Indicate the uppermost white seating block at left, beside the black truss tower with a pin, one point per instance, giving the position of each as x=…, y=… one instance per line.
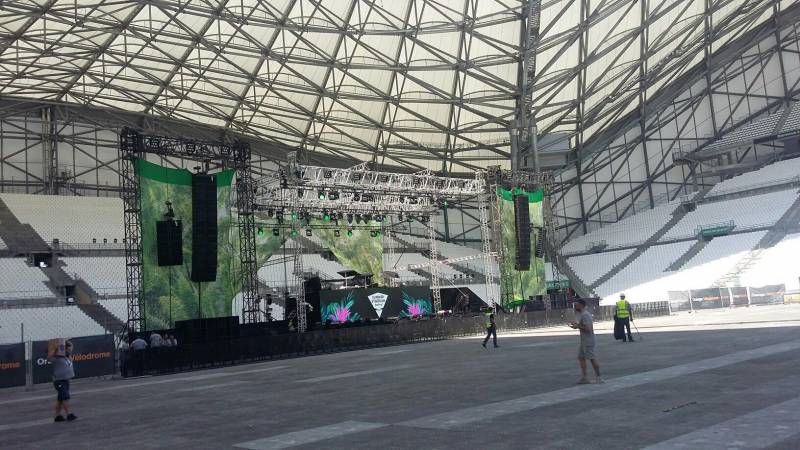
x=70, y=219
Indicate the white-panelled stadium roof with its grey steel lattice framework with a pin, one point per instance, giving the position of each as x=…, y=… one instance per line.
x=404, y=84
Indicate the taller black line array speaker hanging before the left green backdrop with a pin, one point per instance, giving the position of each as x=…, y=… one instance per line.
x=204, y=227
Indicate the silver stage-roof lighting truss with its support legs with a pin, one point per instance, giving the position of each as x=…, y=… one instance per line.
x=300, y=189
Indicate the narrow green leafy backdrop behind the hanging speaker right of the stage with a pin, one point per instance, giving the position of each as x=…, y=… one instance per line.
x=516, y=286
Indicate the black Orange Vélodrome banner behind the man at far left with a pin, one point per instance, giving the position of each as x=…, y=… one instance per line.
x=93, y=356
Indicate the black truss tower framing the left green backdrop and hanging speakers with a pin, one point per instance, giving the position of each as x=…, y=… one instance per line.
x=134, y=145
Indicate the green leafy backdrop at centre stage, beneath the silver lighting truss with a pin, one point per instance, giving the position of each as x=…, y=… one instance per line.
x=360, y=252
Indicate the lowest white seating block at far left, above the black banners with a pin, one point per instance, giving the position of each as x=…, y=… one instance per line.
x=46, y=323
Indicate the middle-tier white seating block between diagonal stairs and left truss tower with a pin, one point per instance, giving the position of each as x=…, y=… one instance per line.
x=106, y=275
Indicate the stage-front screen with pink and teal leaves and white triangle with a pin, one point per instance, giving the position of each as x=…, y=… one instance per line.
x=350, y=305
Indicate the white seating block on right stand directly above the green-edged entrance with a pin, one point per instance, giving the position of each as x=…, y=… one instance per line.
x=746, y=212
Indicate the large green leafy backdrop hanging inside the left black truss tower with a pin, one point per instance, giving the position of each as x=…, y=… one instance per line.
x=169, y=293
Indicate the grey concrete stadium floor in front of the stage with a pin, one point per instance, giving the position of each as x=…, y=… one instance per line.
x=715, y=379
